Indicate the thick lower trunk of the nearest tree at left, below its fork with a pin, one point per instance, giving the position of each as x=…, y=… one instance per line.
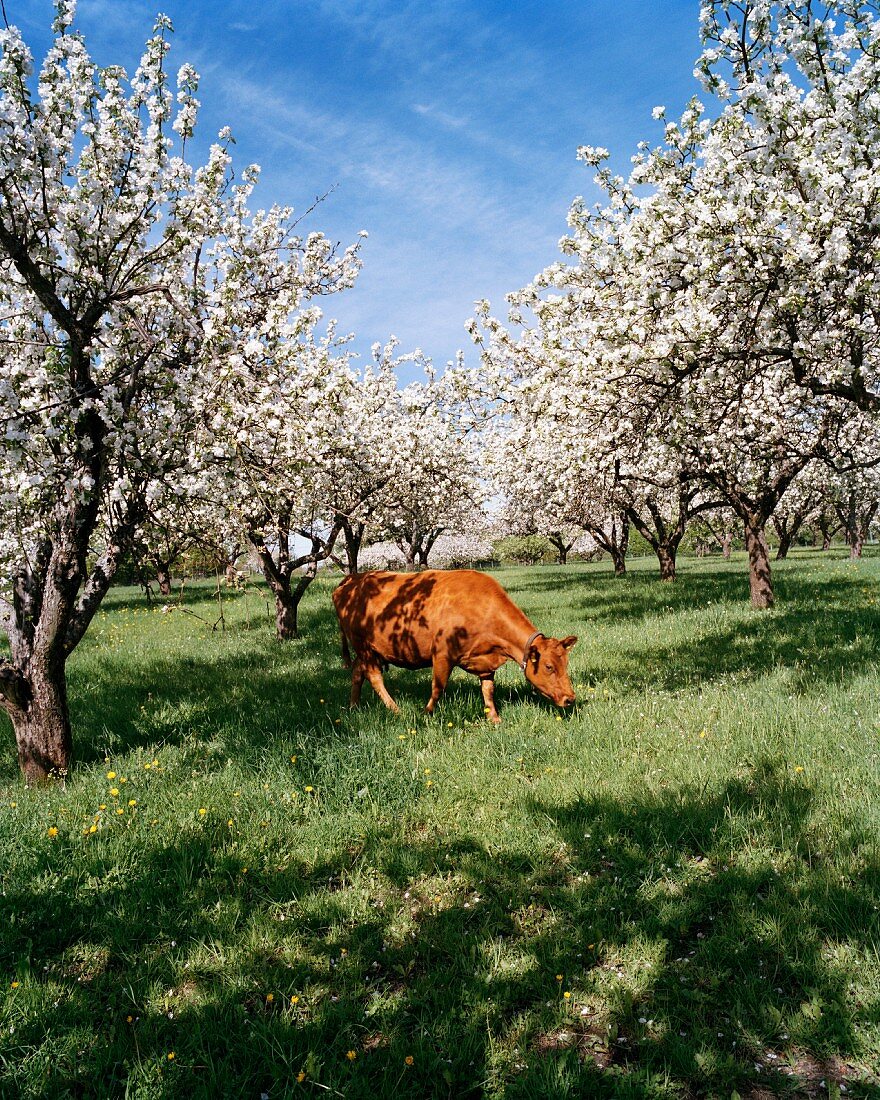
x=42, y=724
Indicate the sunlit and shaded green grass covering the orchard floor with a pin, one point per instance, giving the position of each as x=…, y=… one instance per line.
x=672, y=892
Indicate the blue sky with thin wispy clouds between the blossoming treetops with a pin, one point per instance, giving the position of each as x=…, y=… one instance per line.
x=448, y=129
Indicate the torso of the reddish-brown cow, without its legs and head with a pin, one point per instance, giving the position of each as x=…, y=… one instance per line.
x=400, y=617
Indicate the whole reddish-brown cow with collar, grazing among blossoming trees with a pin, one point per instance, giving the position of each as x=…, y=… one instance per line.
x=445, y=619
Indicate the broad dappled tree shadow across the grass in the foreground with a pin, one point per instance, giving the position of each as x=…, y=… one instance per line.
x=710, y=942
